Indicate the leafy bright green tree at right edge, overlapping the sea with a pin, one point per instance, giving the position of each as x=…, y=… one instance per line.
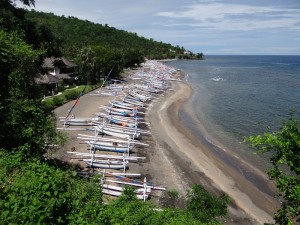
x=285, y=147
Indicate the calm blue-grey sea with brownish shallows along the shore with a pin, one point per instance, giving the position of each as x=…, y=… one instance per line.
x=238, y=96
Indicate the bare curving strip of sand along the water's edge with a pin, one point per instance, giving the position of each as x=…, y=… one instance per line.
x=216, y=175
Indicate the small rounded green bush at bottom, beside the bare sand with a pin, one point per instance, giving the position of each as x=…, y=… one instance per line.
x=204, y=206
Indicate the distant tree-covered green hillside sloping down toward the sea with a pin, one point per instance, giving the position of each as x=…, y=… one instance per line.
x=74, y=33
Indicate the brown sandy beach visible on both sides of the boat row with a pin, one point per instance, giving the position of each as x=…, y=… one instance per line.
x=176, y=159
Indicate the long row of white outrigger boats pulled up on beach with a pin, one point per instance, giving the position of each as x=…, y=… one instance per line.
x=117, y=129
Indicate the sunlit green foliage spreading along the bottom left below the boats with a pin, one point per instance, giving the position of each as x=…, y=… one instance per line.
x=36, y=192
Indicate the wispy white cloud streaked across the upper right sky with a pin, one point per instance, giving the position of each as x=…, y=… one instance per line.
x=228, y=16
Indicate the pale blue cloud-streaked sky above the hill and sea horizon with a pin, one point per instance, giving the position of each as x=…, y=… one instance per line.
x=213, y=27
